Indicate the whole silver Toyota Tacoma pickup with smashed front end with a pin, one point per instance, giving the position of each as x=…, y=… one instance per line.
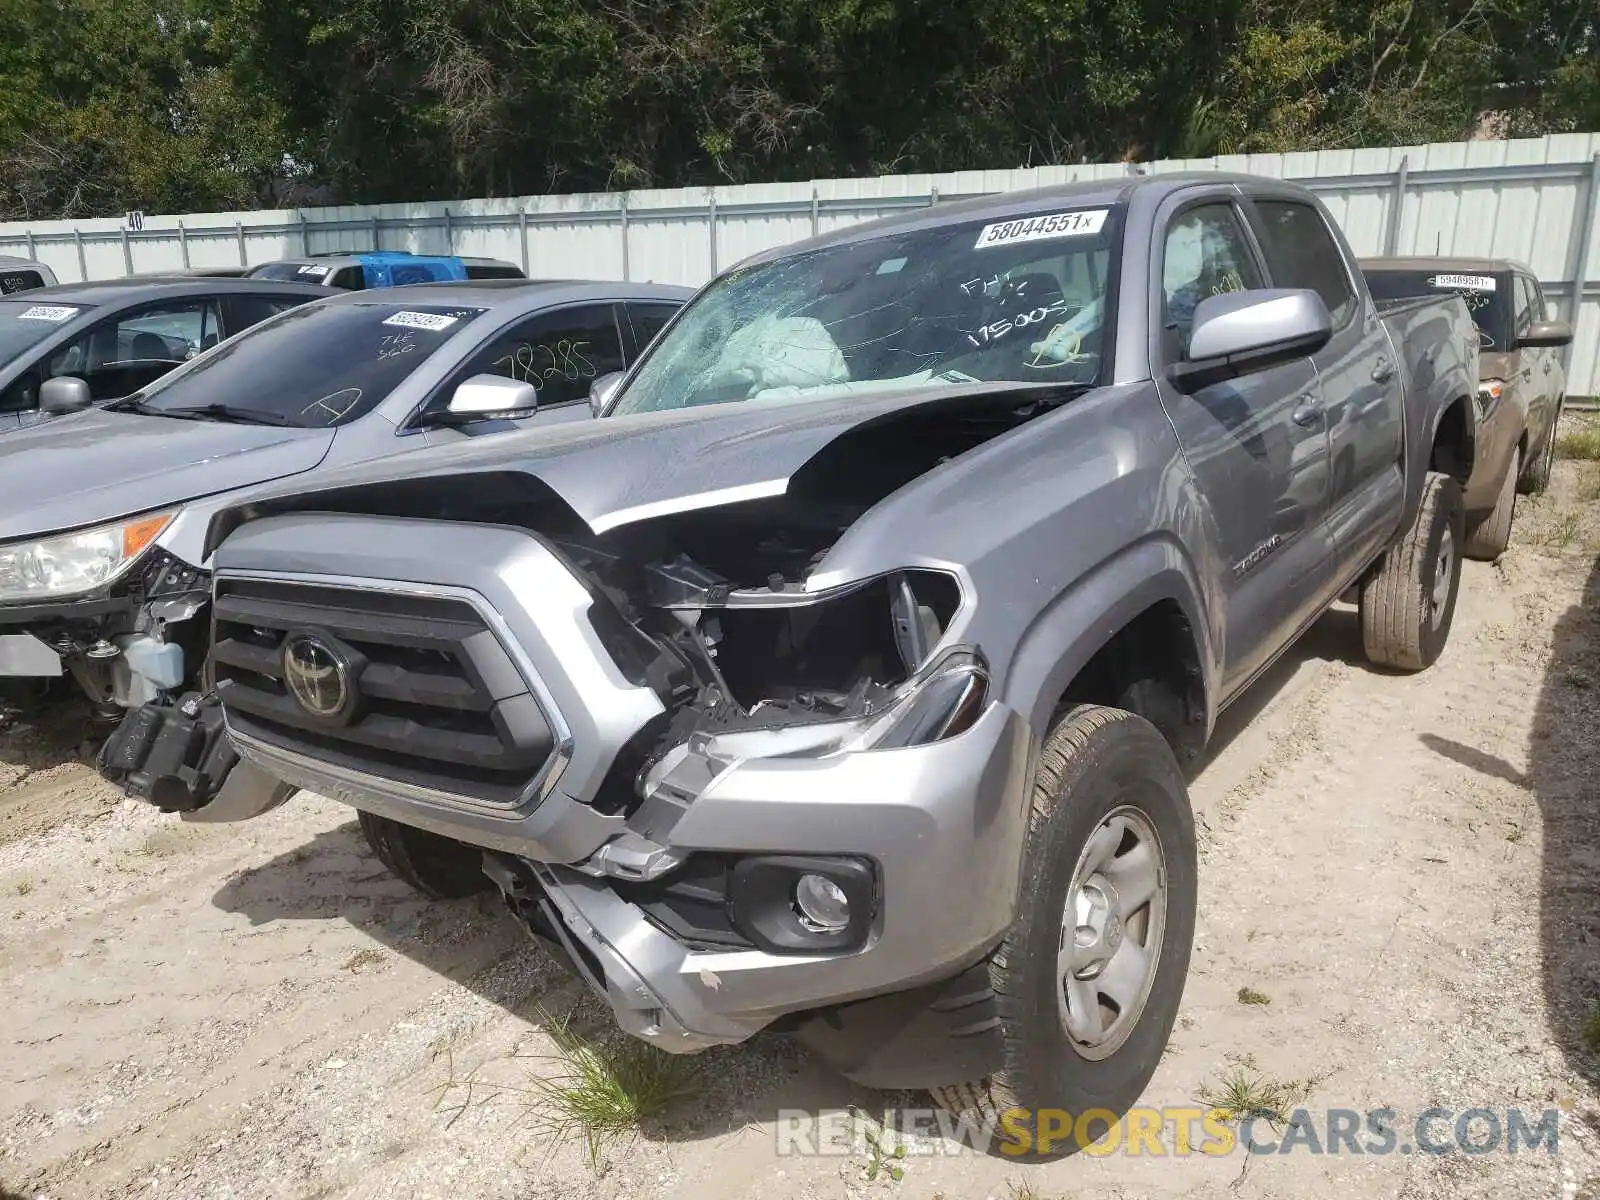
x=844, y=679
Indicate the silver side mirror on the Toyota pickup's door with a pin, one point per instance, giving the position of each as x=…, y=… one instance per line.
x=1244, y=332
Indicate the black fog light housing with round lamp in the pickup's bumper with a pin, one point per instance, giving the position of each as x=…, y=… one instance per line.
x=802, y=905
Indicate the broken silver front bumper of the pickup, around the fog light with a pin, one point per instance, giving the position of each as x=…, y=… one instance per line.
x=942, y=823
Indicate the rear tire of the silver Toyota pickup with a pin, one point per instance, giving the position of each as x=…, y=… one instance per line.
x=1401, y=625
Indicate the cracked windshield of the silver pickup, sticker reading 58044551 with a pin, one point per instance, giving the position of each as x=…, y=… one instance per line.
x=1010, y=302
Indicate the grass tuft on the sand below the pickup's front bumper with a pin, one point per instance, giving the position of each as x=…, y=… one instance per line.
x=610, y=1090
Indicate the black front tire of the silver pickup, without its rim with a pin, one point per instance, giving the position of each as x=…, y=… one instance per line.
x=1098, y=762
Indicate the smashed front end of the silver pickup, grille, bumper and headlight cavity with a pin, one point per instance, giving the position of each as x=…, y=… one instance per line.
x=730, y=782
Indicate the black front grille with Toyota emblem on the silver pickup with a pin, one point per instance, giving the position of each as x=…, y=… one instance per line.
x=434, y=700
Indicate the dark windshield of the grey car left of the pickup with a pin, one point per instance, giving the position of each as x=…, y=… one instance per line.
x=311, y=367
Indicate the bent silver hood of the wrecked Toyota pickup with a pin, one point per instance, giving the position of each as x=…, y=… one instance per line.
x=631, y=468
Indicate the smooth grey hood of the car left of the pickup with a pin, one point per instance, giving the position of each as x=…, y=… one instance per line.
x=97, y=466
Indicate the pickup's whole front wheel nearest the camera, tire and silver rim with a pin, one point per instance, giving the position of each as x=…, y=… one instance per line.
x=1089, y=978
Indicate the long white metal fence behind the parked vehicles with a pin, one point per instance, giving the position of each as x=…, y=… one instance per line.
x=1532, y=199
